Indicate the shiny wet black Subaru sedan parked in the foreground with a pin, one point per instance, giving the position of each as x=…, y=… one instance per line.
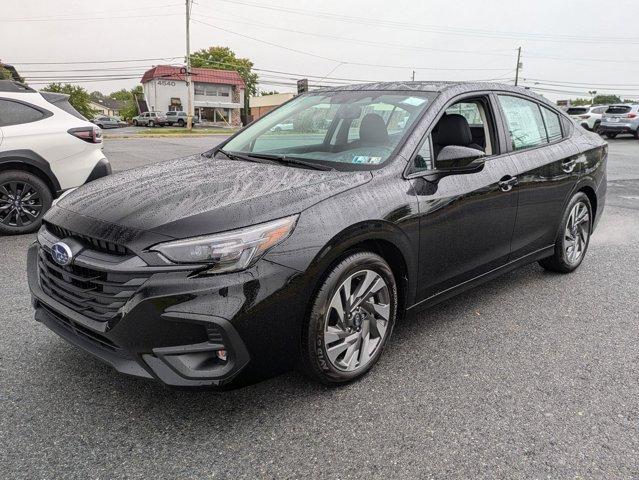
x=304, y=247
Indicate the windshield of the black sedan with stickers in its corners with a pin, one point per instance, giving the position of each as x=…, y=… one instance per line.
x=346, y=130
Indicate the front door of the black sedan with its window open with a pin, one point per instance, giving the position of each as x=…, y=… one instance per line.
x=466, y=220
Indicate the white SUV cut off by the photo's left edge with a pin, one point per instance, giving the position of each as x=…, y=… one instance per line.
x=46, y=147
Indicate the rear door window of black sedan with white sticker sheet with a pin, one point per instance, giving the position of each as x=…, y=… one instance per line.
x=524, y=121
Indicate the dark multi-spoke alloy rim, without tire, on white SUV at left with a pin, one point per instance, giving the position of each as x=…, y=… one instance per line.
x=20, y=204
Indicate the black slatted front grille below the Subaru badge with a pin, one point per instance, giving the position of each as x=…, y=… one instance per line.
x=94, y=293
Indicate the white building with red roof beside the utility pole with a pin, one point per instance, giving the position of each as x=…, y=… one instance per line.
x=218, y=95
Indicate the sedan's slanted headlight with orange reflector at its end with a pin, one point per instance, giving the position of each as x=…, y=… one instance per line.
x=229, y=251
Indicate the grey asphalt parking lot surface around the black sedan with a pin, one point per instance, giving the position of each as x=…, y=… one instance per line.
x=533, y=375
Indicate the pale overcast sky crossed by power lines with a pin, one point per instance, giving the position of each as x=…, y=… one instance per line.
x=567, y=45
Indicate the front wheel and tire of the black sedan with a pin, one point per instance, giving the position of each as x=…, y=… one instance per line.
x=333, y=354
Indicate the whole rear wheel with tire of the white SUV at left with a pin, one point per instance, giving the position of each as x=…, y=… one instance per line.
x=34, y=199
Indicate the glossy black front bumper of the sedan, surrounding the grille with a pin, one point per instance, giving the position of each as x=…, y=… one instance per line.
x=171, y=329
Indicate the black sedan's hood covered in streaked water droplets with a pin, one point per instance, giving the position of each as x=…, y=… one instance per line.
x=198, y=195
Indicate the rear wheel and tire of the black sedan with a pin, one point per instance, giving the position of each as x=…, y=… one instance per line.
x=565, y=259
